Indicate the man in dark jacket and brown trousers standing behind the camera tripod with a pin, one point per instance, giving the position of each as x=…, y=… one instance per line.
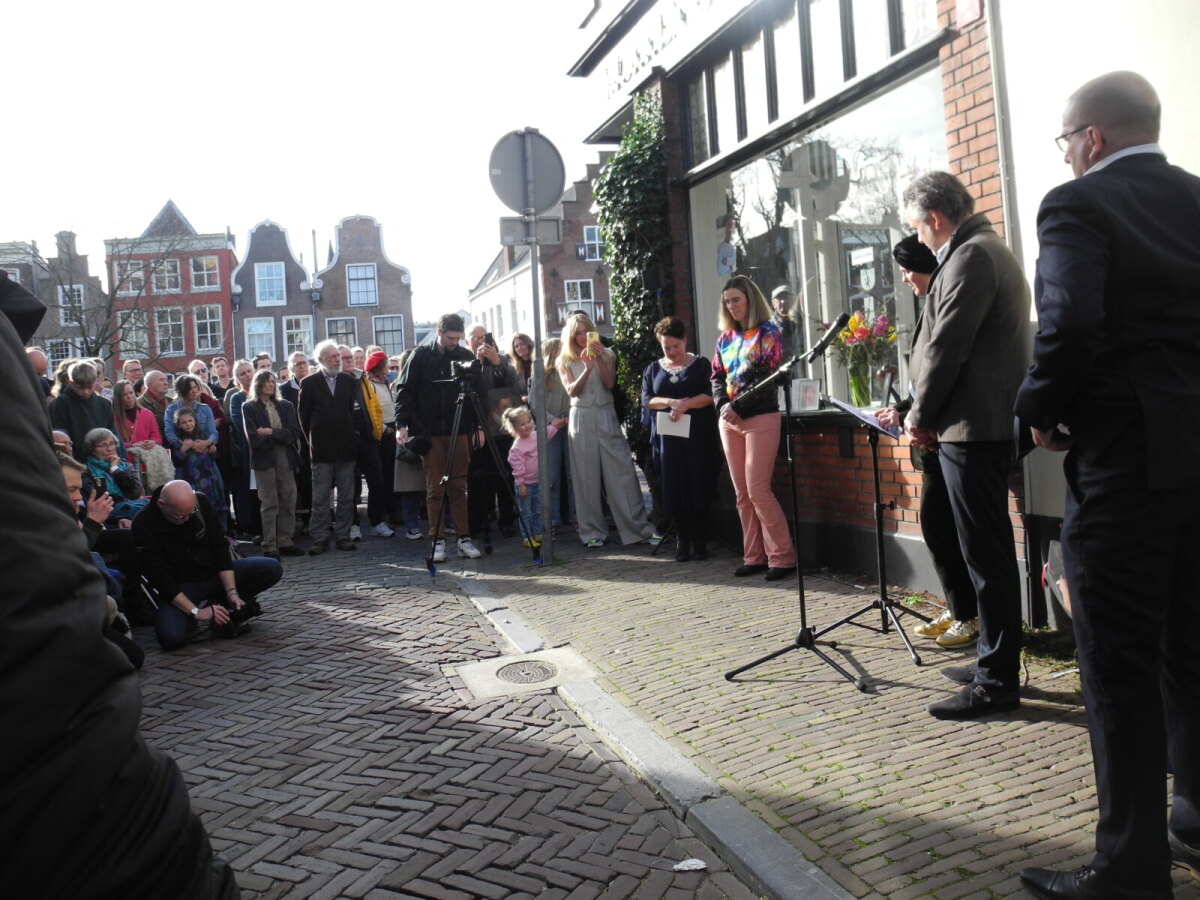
x=425, y=406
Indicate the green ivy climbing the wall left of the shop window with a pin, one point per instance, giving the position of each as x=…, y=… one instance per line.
x=632, y=196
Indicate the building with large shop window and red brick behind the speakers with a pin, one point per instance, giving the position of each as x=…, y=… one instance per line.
x=793, y=130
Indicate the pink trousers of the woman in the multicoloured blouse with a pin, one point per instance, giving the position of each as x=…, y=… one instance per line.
x=751, y=451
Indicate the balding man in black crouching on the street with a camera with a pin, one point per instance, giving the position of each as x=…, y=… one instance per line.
x=185, y=556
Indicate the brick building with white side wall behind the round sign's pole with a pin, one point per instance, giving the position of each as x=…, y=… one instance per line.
x=573, y=275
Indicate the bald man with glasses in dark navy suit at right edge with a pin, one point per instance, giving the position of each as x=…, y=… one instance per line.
x=1117, y=361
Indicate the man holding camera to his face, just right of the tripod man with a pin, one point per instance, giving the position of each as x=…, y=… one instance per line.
x=488, y=485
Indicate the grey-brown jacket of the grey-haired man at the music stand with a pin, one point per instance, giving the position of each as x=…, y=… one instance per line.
x=971, y=349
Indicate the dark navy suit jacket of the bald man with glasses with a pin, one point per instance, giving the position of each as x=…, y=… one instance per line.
x=1119, y=315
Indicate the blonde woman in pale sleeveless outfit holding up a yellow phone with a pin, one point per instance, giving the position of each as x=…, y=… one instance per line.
x=597, y=447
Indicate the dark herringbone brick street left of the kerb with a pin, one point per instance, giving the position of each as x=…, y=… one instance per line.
x=332, y=755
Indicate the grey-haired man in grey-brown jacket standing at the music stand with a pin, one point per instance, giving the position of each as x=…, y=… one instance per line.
x=968, y=358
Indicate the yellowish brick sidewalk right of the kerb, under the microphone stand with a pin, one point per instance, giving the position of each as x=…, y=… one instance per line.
x=884, y=799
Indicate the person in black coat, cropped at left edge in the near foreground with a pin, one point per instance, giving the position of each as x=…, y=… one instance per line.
x=89, y=809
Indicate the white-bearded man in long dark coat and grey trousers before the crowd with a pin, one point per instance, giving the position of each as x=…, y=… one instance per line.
x=327, y=416
